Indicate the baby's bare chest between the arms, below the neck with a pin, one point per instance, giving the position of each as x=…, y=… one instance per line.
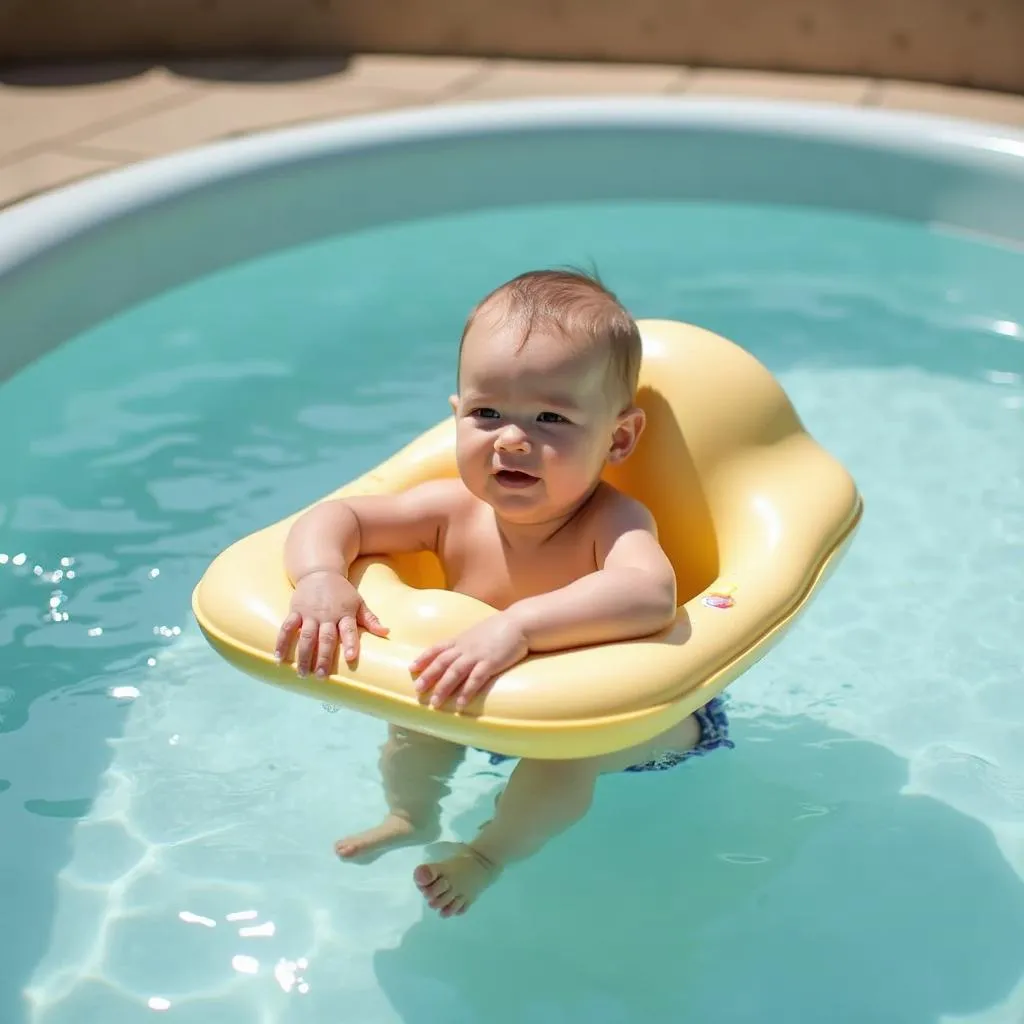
x=491, y=573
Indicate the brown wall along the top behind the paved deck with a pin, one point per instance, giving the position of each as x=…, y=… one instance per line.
x=962, y=42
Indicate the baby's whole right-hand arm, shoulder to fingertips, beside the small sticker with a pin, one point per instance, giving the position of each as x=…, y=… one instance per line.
x=631, y=594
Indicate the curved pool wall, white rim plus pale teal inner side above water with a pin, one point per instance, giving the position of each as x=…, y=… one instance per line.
x=76, y=257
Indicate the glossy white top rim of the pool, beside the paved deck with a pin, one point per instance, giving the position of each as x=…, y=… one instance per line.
x=45, y=222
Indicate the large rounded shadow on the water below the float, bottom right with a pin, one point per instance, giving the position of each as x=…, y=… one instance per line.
x=794, y=882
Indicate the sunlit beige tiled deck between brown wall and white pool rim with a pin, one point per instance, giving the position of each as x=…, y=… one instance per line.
x=63, y=123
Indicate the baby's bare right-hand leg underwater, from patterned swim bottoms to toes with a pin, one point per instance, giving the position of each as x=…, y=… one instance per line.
x=543, y=799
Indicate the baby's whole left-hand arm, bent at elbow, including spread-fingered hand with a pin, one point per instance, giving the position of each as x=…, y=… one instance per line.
x=320, y=550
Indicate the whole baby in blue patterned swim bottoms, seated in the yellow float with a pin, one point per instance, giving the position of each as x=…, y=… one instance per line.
x=546, y=400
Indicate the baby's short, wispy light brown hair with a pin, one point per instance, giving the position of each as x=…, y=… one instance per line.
x=578, y=306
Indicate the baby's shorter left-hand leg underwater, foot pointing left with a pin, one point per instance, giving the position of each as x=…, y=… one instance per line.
x=416, y=770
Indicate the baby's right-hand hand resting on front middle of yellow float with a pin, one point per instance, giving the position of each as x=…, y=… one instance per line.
x=468, y=663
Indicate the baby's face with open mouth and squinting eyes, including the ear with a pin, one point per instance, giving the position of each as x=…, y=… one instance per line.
x=535, y=423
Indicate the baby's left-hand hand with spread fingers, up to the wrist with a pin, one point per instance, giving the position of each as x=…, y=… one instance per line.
x=324, y=606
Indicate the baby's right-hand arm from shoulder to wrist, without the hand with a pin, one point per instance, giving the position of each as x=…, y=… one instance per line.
x=632, y=594
